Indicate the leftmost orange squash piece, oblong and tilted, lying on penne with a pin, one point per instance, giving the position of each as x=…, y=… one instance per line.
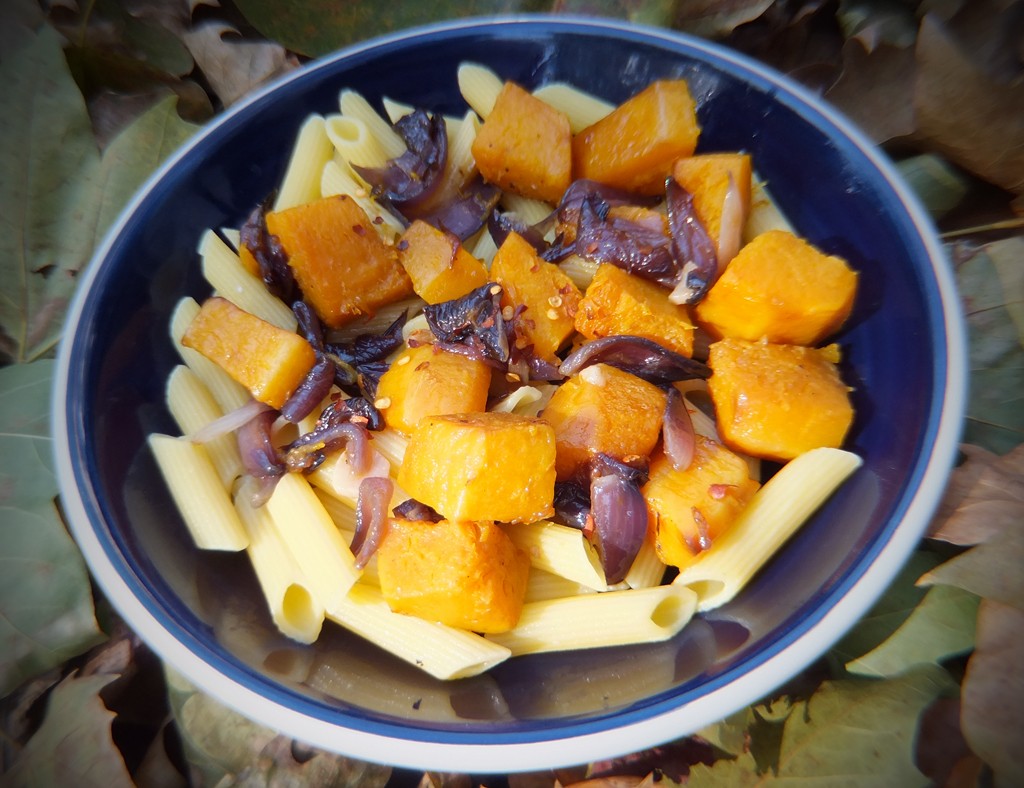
x=270, y=362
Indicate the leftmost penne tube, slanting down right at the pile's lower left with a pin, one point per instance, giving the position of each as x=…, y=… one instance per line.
x=205, y=506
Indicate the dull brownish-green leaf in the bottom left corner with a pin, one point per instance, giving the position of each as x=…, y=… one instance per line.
x=73, y=747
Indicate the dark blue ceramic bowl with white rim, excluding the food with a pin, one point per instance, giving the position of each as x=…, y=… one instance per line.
x=203, y=614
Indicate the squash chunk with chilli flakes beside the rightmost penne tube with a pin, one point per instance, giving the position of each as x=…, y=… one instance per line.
x=692, y=508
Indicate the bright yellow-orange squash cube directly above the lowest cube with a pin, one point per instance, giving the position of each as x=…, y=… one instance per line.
x=488, y=466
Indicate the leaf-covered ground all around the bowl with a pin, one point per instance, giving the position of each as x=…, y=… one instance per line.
x=927, y=689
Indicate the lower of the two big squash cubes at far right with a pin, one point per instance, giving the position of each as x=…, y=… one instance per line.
x=778, y=402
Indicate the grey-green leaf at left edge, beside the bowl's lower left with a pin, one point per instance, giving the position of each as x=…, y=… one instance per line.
x=47, y=614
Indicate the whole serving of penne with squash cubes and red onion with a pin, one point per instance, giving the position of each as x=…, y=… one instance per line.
x=445, y=389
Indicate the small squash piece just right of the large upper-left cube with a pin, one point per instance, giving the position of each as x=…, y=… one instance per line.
x=439, y=266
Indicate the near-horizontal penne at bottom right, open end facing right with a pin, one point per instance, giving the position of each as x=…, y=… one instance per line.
x=598, y=621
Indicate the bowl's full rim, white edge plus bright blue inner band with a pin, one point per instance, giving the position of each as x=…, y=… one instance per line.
x=532, y=746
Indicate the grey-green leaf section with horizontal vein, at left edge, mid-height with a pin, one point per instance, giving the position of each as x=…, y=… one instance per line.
x=26, y=449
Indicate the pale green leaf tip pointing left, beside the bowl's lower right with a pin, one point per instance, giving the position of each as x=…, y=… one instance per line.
x=943, y=626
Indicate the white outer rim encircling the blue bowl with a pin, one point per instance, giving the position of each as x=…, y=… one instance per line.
x=631, y=737
